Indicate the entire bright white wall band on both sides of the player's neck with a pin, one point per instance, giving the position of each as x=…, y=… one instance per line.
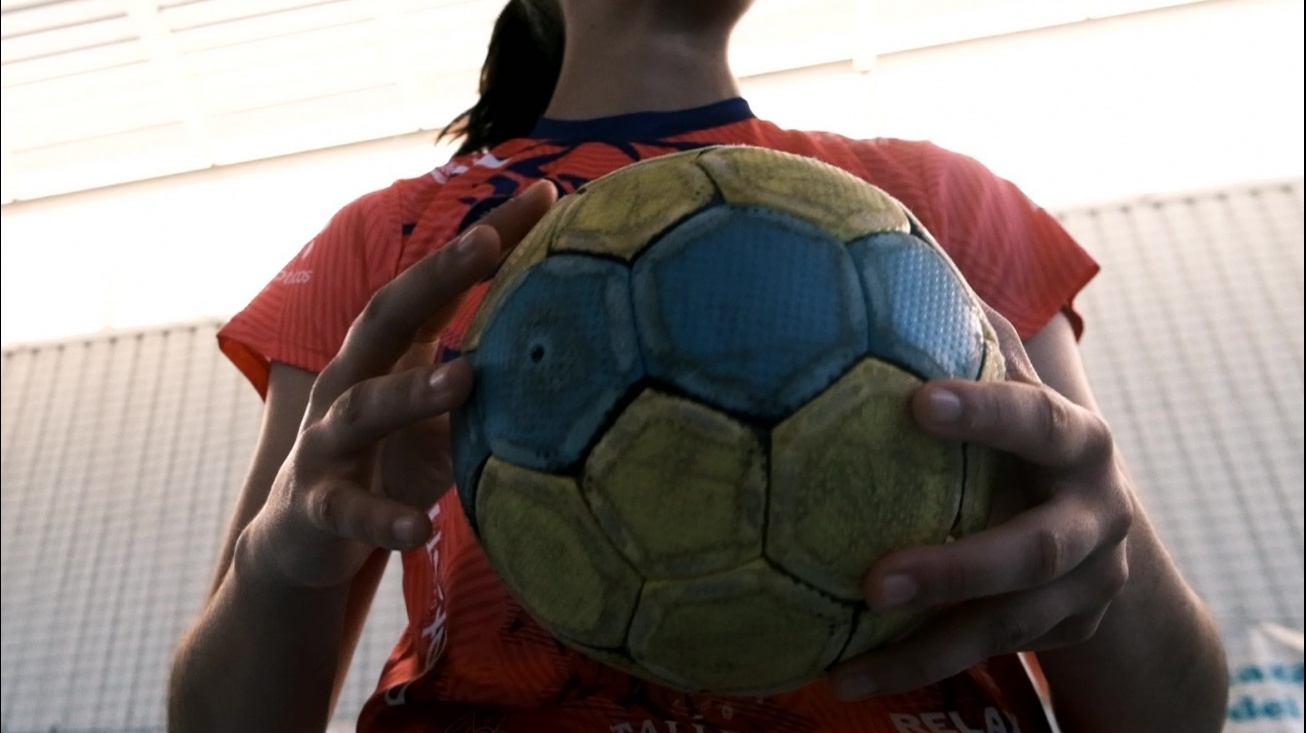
x=1180, y=99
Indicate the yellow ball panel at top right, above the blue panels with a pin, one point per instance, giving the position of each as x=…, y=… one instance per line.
x=821, y=194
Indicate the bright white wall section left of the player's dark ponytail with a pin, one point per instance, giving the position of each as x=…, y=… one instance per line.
x=182, y=248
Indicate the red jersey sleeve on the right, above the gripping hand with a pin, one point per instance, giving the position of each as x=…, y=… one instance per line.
x=1013, y=253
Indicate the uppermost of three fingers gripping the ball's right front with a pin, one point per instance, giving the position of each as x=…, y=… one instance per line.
x=1028, y=421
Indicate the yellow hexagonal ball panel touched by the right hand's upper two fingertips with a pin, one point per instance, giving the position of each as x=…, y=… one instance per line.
x=853, y=479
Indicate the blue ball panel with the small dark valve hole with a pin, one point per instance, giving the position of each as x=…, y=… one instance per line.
x=554, y=361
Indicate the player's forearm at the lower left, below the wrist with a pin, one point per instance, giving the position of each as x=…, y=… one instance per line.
x=263, y=657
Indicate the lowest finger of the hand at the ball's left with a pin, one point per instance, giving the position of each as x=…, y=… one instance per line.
x=349, y=513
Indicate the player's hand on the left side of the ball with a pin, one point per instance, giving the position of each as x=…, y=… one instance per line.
x=373, y=454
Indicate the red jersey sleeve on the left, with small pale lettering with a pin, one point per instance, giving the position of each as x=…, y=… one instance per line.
x=302, y=316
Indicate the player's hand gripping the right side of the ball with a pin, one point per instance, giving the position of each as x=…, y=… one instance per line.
x=1039, y=579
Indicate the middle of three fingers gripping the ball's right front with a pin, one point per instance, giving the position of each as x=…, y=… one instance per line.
x=1036, y=548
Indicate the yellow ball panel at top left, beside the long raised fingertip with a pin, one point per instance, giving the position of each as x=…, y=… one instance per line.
x=634, y=206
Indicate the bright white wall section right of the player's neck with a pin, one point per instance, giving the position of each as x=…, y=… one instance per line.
x=1189, y=97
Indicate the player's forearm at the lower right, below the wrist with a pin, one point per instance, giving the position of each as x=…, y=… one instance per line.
x=1156, y=662
